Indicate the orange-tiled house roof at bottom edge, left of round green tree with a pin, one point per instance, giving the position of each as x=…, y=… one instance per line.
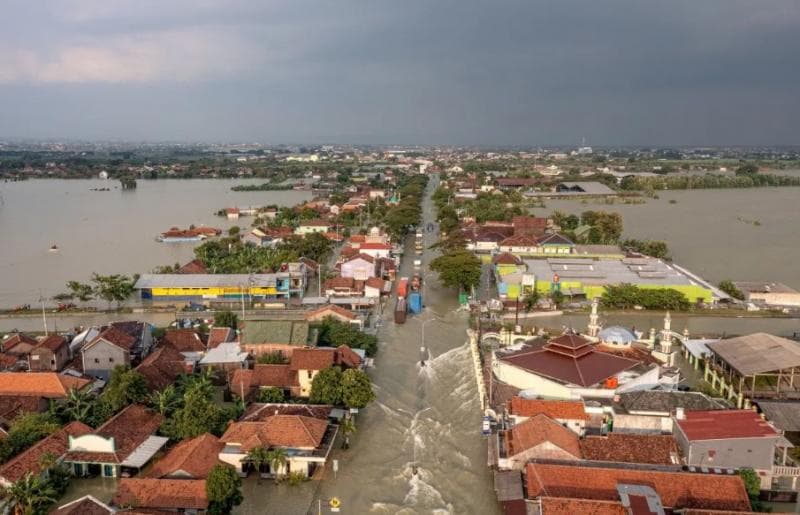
x=163, y=495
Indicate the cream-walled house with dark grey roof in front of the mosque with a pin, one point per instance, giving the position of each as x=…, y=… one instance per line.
x=652, y=411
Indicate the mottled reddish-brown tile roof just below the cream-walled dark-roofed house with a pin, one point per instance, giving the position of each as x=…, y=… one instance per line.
x=631, y=448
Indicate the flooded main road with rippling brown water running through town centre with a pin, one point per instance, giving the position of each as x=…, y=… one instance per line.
x=425, y=420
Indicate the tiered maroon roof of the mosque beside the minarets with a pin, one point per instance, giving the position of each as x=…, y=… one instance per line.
x=570, y=359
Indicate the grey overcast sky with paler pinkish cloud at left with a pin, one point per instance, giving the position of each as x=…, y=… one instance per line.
x=693, y=72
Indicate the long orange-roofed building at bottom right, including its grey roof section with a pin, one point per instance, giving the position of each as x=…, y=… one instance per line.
x=668, y=492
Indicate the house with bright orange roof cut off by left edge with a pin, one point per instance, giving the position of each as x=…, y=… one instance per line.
x=31, y=392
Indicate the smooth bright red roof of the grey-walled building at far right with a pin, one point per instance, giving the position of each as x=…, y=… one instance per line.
x=723, y=424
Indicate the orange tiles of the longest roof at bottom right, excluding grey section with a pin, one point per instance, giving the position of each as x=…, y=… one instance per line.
x=677, y=490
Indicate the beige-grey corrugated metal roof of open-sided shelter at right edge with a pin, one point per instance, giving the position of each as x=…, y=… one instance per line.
x=758, y=353
